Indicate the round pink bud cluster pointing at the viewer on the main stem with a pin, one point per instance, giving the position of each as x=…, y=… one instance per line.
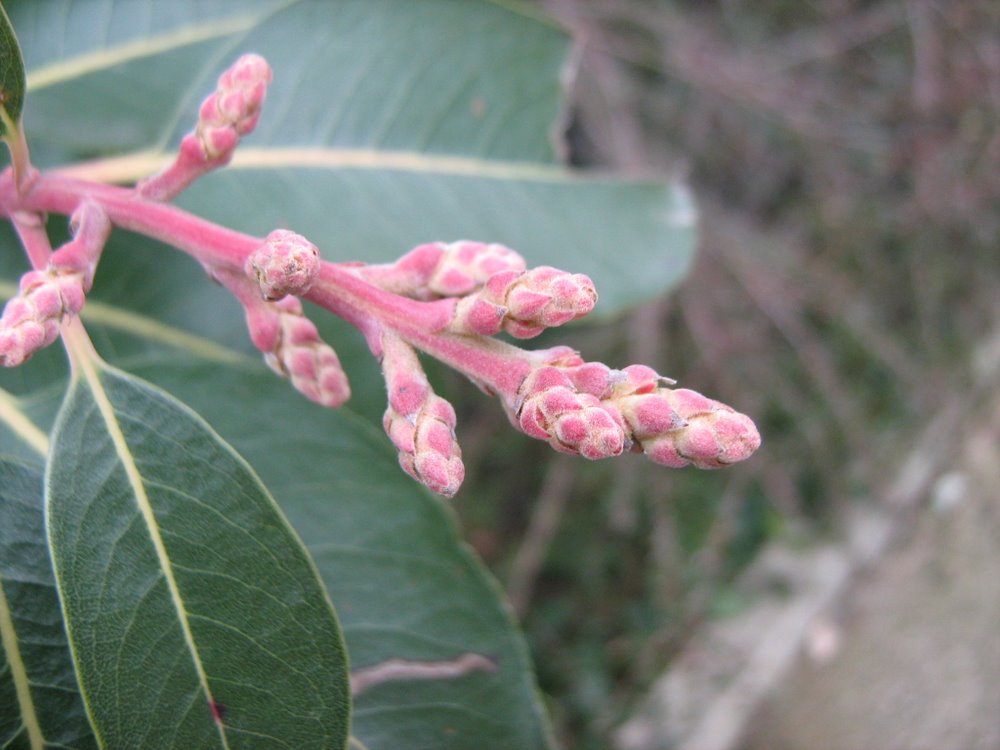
x=287, y=263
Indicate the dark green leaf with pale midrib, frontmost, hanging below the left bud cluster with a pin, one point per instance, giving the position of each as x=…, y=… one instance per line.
x=195, y=615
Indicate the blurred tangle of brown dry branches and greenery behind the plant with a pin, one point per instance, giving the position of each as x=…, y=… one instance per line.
x=844, y=156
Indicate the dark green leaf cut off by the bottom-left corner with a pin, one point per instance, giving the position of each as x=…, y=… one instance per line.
x=40, y=704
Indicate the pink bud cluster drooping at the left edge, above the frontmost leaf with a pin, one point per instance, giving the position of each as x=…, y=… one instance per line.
x=31, y=320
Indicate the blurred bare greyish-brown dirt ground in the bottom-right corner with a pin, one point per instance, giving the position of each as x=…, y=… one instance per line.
x=913, y=661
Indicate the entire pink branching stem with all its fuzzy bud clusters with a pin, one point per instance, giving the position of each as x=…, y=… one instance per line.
x=447, y=300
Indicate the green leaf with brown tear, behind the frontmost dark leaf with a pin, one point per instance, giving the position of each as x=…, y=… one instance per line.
x=405, y=585
